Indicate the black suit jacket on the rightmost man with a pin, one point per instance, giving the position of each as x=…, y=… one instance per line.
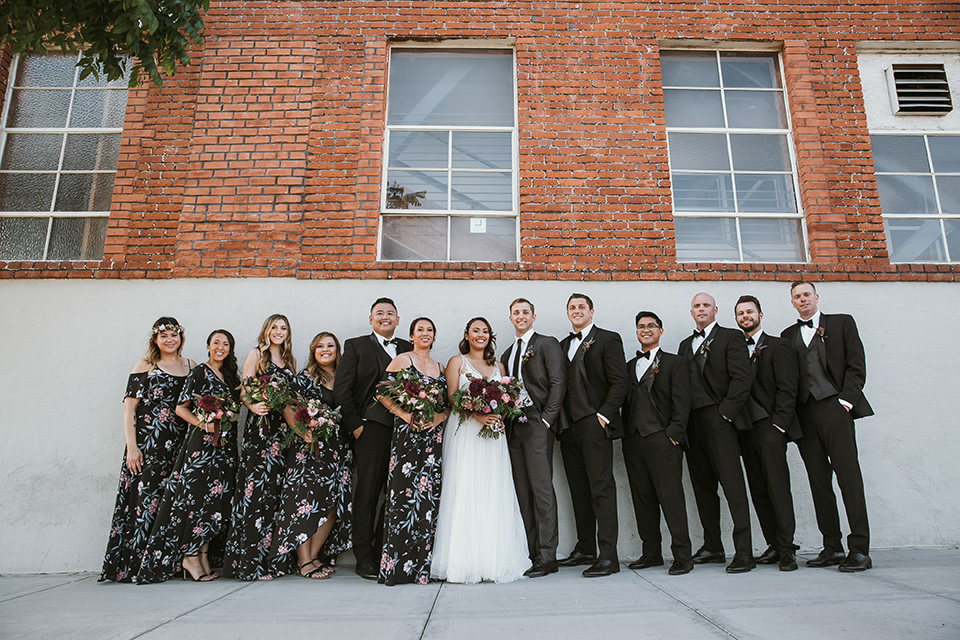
x=842, y=357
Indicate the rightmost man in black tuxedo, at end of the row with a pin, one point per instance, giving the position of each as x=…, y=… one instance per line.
x=832, y=369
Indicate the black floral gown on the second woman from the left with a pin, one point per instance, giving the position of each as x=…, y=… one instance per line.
x=195, y=507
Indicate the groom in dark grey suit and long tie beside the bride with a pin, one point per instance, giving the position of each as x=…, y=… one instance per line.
x=538, y=361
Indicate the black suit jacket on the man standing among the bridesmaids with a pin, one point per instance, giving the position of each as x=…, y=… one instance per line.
x=361, y=368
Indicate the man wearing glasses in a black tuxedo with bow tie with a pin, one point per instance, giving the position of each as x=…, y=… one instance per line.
x=655, y=414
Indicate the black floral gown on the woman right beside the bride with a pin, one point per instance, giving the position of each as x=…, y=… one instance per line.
x=413, y=498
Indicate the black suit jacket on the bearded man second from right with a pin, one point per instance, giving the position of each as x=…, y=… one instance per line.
x=774, y=391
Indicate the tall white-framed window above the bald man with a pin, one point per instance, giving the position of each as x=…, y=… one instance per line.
x=731, y=161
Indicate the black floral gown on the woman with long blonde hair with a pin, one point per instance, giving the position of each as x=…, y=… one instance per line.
x=256, y=500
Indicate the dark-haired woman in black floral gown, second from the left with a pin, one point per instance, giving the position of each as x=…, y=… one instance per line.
x=195, y=507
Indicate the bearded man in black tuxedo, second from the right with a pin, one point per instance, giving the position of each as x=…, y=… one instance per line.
x=771, y=410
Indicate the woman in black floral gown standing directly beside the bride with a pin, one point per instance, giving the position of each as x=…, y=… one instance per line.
x=413, y=478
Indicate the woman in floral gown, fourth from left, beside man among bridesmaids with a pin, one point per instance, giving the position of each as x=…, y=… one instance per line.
x=314, y=484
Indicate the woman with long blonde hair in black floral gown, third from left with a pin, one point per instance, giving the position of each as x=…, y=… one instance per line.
x=262, y=464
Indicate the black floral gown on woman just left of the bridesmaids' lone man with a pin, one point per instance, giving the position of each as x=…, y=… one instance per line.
x=313, y=486
